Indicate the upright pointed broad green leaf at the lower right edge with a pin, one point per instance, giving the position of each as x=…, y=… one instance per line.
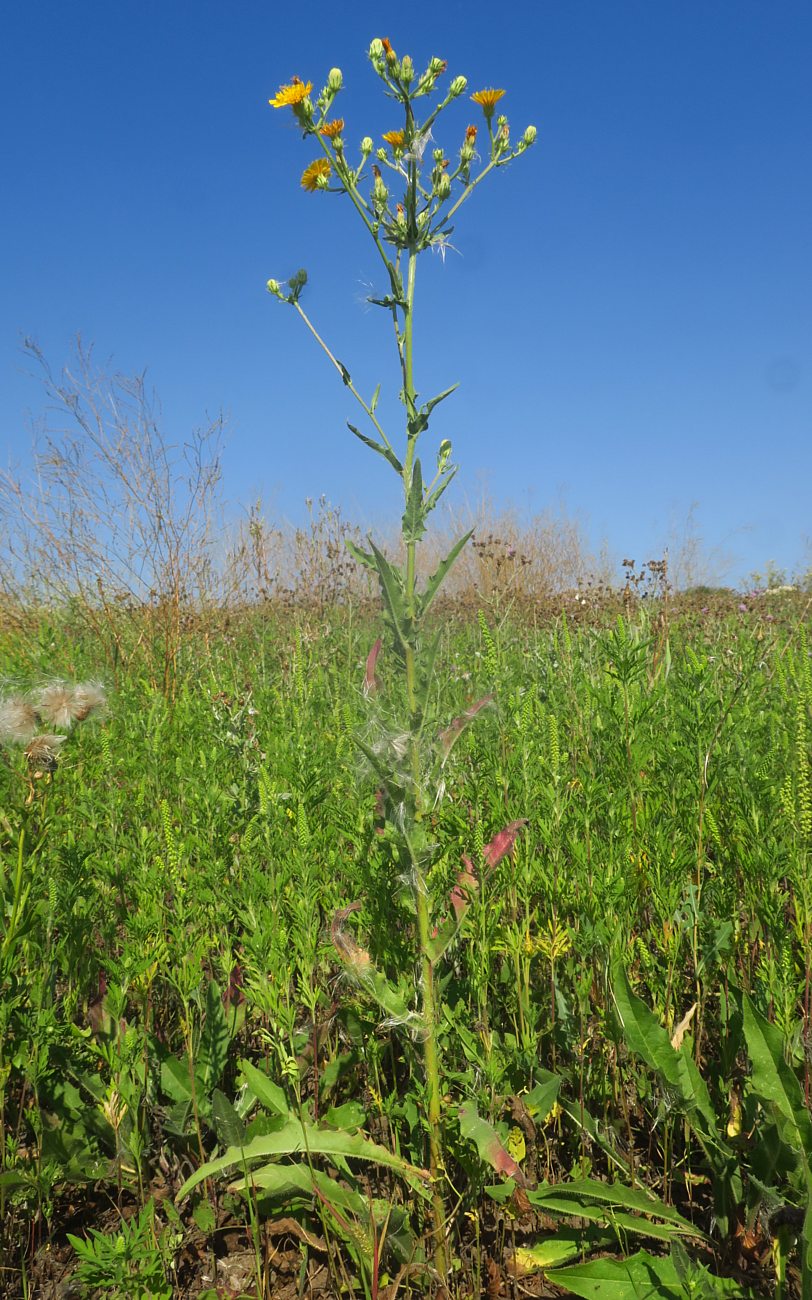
x=776, y=1085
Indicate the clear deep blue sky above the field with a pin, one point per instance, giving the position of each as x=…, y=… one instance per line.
x=629, y=314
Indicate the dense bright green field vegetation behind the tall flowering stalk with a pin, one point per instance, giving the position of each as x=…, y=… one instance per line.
x=203, y=846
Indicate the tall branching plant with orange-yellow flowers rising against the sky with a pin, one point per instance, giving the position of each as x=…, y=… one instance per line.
x=429, y=190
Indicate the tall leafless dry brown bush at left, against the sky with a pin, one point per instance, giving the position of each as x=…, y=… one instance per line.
x=114, y=517
